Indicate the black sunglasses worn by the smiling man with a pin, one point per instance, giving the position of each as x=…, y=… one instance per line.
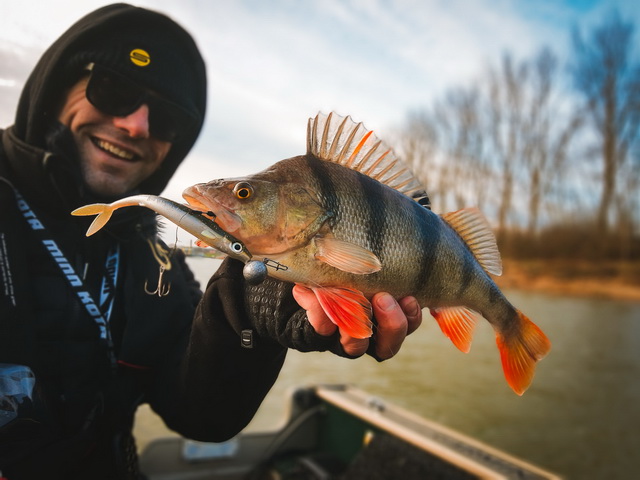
x=116, y=95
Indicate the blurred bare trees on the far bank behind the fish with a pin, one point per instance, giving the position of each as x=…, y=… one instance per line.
x=549, y=151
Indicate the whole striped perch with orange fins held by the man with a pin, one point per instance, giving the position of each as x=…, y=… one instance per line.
x=346, y=220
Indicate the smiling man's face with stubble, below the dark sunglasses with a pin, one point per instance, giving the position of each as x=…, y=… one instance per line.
x=116, y=153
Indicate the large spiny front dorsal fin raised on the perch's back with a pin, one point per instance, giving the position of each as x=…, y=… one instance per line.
x=341, y=140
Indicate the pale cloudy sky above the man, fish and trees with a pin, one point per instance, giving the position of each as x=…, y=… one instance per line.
x=273, y=64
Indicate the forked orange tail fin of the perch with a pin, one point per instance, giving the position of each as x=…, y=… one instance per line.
x=519, y=353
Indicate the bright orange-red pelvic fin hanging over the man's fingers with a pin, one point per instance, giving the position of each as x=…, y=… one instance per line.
x=347, y=308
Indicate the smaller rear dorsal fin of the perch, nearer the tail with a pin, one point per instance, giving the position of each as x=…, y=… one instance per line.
x=475, y=230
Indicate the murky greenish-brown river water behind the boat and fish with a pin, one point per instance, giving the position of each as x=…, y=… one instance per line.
x=580, y=418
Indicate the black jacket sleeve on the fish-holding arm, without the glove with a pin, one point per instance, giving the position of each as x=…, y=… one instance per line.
x=220, y=383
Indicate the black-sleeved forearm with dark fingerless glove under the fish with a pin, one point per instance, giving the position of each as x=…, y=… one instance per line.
x=223, y=380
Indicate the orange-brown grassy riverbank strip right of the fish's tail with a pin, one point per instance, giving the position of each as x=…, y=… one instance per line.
x=605, y=280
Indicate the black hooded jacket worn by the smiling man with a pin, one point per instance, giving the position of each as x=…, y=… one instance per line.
x=180, y=353
